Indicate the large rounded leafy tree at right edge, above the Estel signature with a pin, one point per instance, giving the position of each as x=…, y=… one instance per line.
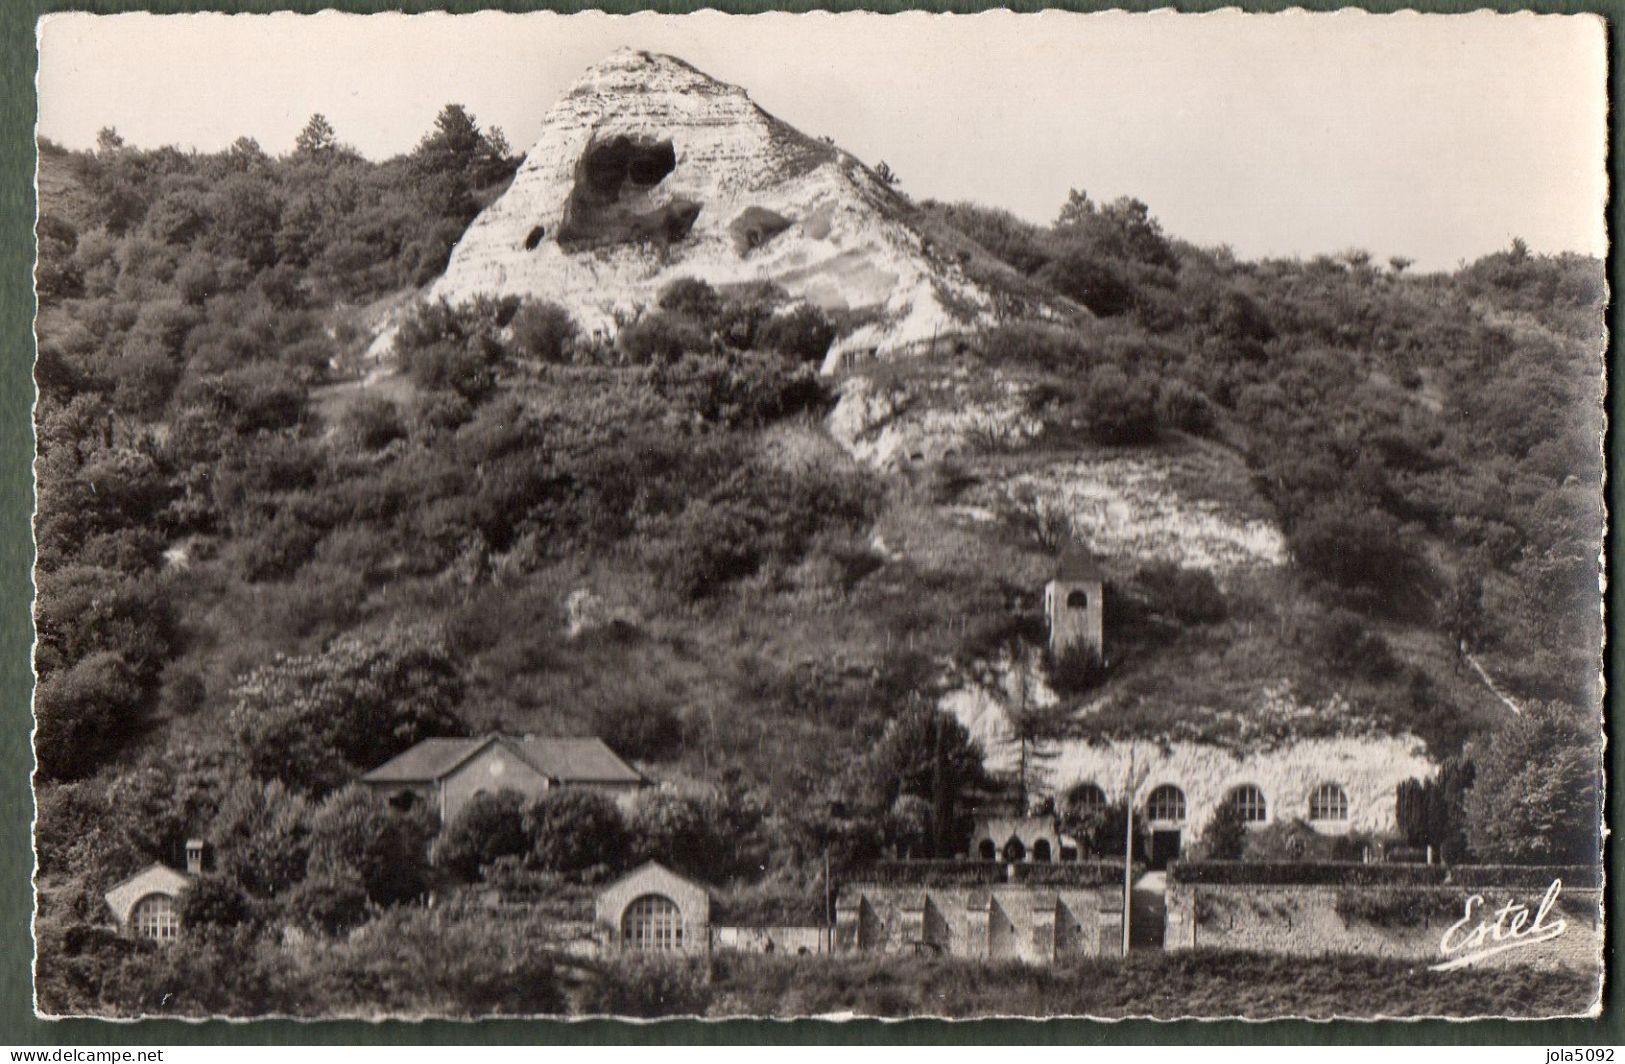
x=1536, y=797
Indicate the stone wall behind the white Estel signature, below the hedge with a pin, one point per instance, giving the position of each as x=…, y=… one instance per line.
x=1398, y=922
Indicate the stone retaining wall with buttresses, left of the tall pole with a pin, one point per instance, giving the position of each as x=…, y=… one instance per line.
x=1007, y=922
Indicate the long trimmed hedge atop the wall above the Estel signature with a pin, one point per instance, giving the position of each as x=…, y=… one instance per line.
x=1358, y=875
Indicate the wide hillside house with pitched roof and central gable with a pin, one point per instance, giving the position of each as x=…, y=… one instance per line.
x=446, y=774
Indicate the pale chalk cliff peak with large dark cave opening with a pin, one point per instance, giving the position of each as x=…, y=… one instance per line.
x=649, y=171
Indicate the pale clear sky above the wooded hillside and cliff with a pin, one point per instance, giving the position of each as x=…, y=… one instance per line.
x=1432, y=137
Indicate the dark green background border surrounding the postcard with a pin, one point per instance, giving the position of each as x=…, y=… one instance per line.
x=19, y=1024
